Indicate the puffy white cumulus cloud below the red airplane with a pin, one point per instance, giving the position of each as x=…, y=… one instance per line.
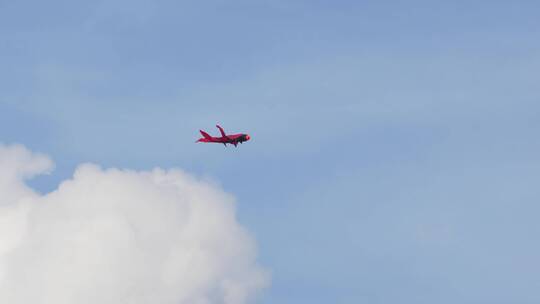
x=120, y=236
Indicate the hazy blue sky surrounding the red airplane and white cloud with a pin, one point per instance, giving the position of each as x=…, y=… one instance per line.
x=395, y=150
